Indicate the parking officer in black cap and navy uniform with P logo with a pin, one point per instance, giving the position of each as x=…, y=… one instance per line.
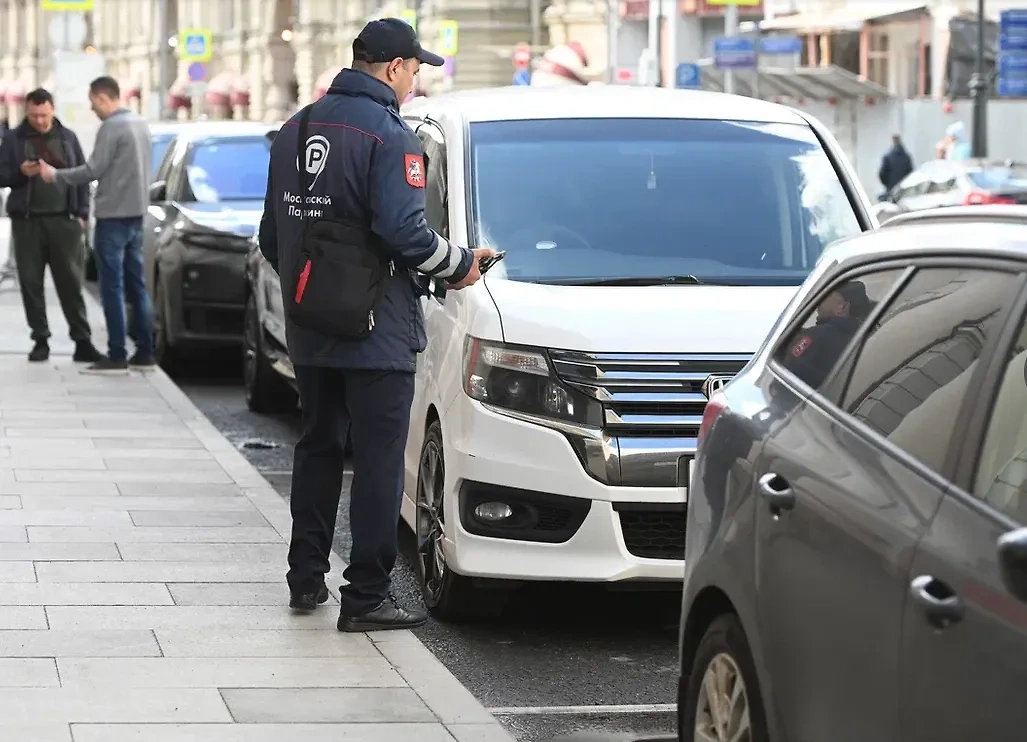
x=364, y=177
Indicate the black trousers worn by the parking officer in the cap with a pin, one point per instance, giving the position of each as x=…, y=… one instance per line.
x=372, y=409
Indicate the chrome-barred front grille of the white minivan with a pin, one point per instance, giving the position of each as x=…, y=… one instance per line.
x=653, y=405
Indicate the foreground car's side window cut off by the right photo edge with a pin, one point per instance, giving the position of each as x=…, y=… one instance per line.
x=1002, y=469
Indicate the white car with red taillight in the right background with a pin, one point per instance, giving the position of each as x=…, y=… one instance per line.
x=950, y=183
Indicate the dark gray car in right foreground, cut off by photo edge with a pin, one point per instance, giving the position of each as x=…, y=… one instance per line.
x=856, y=564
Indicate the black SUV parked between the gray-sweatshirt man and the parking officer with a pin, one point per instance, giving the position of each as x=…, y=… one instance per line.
x=207, y=201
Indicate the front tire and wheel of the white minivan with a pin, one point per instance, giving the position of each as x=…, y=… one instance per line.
x=448, y=597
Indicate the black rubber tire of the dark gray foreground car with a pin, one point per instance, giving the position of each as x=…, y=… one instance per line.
x=725, y=649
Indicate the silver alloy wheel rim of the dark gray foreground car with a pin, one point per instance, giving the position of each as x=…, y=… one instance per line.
x=722, y=711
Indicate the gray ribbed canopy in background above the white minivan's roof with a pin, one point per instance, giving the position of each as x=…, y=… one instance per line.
x=812, y=84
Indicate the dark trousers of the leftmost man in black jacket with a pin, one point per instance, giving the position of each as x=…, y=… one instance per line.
x=54, y=241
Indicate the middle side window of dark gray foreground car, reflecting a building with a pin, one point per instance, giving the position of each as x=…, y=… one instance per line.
x=911, y=375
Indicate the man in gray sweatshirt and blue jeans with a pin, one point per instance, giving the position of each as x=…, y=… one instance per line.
x=121, y=165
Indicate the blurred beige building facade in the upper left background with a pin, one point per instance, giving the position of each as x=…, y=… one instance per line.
x=270, y=56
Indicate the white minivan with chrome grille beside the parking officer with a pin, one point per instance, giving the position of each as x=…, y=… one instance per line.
x=653, y=238
